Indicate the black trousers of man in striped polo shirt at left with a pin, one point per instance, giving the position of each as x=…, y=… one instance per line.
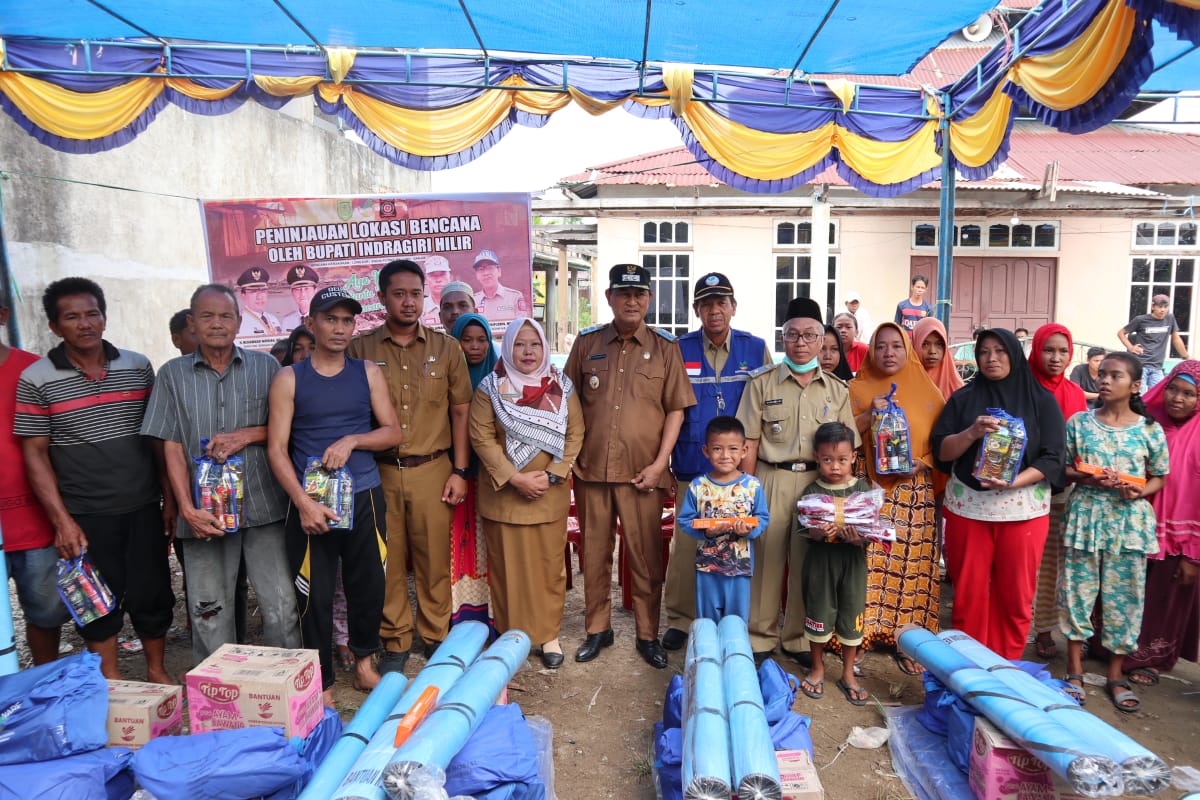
x=130, y=551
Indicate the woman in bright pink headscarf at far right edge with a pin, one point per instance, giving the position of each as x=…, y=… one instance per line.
x=1171, y=625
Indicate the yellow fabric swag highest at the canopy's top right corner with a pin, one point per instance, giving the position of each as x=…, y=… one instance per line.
x=1072, y=76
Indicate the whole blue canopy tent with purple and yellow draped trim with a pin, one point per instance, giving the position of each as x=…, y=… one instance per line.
x=431, y=85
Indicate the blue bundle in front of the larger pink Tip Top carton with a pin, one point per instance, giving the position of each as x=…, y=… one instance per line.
x=221, y=766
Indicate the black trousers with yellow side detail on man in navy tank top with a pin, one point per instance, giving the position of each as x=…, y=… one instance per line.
x=314, y=561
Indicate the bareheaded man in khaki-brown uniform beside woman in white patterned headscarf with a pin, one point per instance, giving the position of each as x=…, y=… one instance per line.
x=427, y=376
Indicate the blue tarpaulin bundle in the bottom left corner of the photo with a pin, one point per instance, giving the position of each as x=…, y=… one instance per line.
x=98, y=775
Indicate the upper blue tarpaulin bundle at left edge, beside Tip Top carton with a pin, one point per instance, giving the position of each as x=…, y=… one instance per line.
x=55, y=711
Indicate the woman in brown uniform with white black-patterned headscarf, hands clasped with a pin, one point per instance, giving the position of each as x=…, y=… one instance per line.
x=527, y=429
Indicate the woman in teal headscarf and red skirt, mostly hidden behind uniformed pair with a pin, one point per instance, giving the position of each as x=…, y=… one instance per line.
x=469, y=554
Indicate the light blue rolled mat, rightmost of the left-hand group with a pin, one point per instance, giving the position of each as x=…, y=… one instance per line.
x=459, y=713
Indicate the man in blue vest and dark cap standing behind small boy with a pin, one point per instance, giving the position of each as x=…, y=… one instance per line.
x=719, y=362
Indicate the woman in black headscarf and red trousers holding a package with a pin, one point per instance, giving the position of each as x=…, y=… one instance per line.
x=995, y=533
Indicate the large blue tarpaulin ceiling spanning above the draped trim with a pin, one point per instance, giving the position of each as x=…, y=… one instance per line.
x=815, y=37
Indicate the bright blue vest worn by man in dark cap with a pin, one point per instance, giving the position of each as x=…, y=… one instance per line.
x=715, y=395
